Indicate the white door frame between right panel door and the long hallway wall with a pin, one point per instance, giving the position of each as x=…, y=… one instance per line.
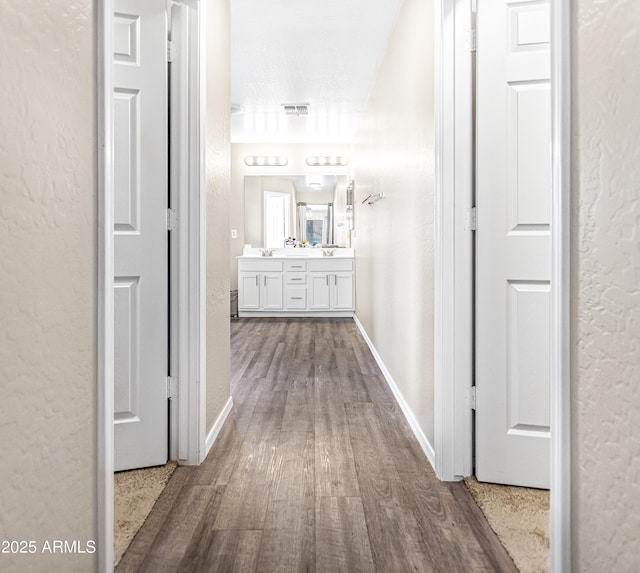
x=454, y=243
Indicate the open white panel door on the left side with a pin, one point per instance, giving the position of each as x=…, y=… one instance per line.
x=140, y=229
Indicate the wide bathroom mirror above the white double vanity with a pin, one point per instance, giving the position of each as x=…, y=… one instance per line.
x=311, y=207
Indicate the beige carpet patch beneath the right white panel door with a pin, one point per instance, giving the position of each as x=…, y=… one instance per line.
x=520, y=518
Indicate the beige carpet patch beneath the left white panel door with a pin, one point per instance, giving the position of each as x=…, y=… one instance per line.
x=135, y=493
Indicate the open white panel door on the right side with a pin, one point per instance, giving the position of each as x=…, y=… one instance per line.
x=513, y=265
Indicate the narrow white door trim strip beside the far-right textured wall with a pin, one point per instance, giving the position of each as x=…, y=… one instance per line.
x=560, y=515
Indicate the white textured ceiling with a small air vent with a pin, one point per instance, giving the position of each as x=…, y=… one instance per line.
x=324, y=53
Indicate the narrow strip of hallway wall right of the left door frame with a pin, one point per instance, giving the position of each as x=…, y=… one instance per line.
x=218, y=186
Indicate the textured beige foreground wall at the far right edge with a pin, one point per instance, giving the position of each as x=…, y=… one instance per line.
x=606, y=286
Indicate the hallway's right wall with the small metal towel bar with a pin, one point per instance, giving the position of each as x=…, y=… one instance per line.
x=393, y=153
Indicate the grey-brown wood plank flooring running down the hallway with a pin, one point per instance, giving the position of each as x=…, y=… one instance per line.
x=315, y=470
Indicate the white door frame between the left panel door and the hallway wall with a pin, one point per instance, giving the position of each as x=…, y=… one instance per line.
x=187, y=416
